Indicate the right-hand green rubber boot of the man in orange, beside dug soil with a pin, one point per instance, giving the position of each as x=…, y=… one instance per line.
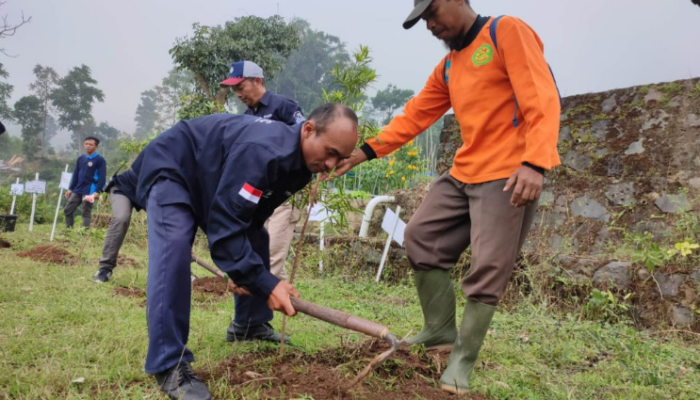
x=475, y=324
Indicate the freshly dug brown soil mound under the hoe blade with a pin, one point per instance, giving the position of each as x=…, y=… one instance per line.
x=404, y=376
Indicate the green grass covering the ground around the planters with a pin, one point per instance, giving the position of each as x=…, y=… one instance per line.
x=63, y=337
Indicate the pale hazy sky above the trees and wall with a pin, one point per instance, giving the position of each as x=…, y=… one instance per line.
x=592, y=46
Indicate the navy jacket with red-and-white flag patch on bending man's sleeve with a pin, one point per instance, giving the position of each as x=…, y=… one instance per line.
x=236, y=169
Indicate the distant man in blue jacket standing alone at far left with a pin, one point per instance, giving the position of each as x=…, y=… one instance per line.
x=88, y=178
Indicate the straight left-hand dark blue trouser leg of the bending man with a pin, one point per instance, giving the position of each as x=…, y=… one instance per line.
x=171, y=230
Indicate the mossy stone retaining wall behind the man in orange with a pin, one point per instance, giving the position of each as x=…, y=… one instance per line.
x=631, y=164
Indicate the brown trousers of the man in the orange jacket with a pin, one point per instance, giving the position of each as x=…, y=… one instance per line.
x=455, y=215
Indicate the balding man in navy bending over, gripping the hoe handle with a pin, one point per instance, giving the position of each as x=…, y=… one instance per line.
x=225, y=174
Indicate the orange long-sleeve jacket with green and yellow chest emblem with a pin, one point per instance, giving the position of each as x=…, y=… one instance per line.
x=481, y=83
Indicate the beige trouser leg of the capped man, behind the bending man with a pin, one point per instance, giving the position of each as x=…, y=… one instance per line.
x=280, y=226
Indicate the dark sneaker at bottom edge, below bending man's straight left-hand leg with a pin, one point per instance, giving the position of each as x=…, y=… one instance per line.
x=180, y=382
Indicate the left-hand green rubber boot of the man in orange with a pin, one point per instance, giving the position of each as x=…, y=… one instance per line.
x=437, y=299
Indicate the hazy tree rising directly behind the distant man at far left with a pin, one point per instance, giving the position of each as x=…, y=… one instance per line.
x=74, y=98
